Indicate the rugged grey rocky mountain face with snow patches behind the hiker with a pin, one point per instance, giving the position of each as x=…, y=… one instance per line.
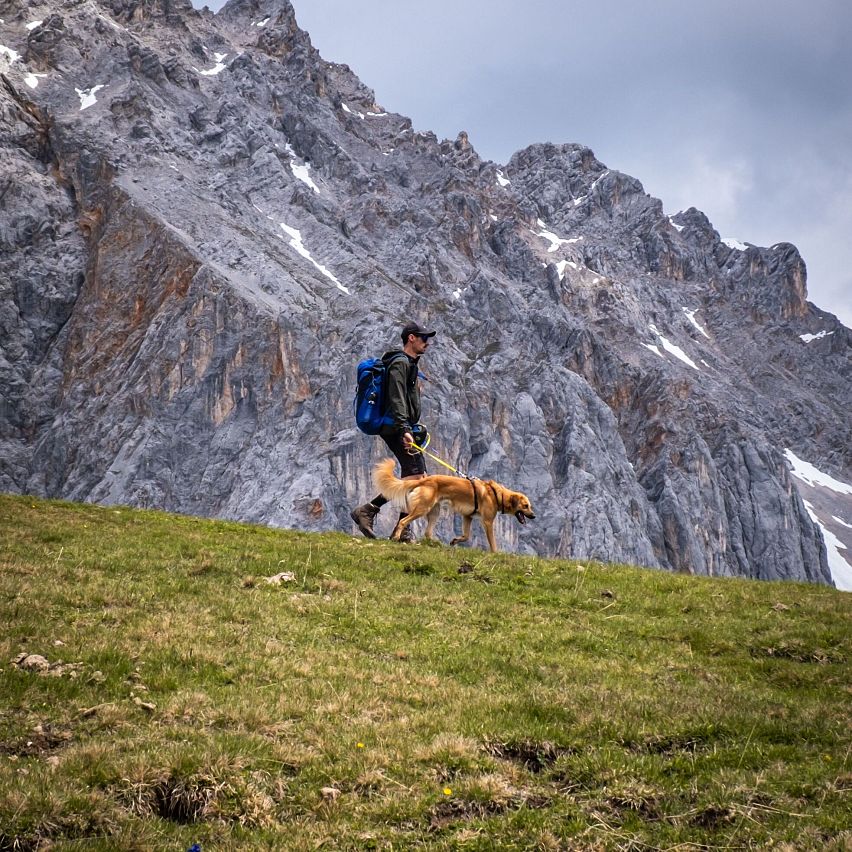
x=204, y=226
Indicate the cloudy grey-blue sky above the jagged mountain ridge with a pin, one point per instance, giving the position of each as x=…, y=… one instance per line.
x=741, y=108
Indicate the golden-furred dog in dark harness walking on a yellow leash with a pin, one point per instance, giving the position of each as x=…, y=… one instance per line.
x=467, y=497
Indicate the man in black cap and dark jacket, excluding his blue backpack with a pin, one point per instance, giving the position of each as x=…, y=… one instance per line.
x=402, y=405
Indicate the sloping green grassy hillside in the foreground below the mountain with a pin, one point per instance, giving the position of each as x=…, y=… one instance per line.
x=398, y=697
